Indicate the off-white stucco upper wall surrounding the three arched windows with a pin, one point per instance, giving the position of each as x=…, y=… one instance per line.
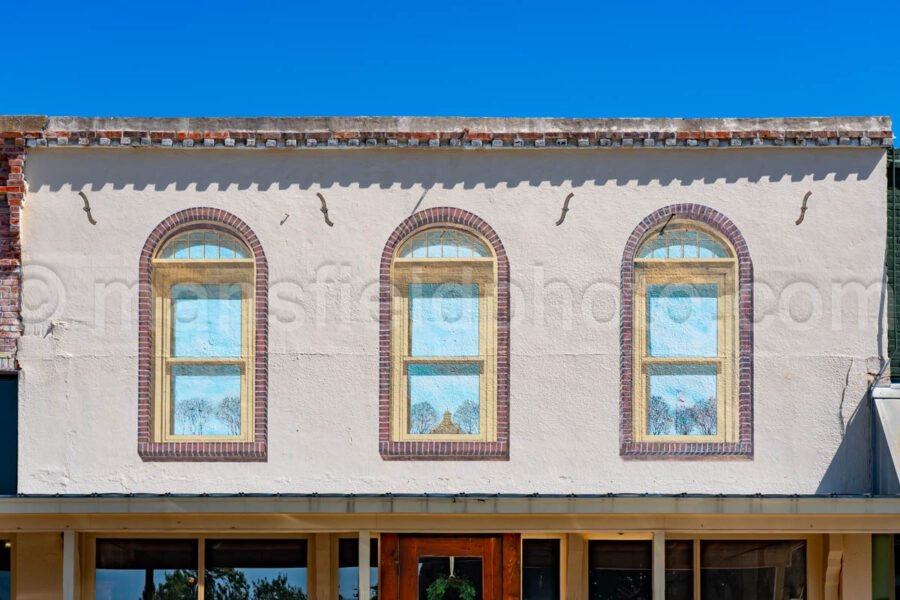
x=78, y=393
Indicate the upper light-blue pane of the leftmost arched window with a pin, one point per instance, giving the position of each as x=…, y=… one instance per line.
x=206, y=321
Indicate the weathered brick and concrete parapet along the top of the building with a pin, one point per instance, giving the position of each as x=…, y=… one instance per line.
x=437, y=132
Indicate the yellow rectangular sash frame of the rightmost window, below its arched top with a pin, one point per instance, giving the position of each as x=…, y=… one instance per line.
x=723, y=273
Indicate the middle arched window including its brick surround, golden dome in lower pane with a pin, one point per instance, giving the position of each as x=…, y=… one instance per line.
x=443, y=354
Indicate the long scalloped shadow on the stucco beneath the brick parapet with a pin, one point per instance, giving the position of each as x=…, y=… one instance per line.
x=242, y=169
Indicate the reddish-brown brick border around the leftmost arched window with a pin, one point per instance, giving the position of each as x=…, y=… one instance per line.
x=148, y=450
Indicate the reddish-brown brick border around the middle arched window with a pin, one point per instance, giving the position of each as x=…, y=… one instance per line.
x=394, y=450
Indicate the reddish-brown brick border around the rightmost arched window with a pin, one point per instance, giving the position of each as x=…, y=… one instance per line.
x=728, y=230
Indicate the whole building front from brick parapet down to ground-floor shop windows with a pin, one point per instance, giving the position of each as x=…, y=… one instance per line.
x=483, y=358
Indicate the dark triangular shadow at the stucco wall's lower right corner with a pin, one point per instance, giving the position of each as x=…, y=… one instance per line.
x=850, y=469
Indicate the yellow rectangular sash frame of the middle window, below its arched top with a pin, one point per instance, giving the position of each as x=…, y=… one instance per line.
x=481, y=271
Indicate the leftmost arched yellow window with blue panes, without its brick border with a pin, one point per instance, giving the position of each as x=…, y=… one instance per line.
x=203, y=283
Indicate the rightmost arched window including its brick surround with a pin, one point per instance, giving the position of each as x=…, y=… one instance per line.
x=687, y=335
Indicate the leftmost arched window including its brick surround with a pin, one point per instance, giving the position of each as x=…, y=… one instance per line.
x=205, y=399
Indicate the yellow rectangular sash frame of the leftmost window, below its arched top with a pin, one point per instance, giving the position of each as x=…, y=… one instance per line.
x=167, y=273
